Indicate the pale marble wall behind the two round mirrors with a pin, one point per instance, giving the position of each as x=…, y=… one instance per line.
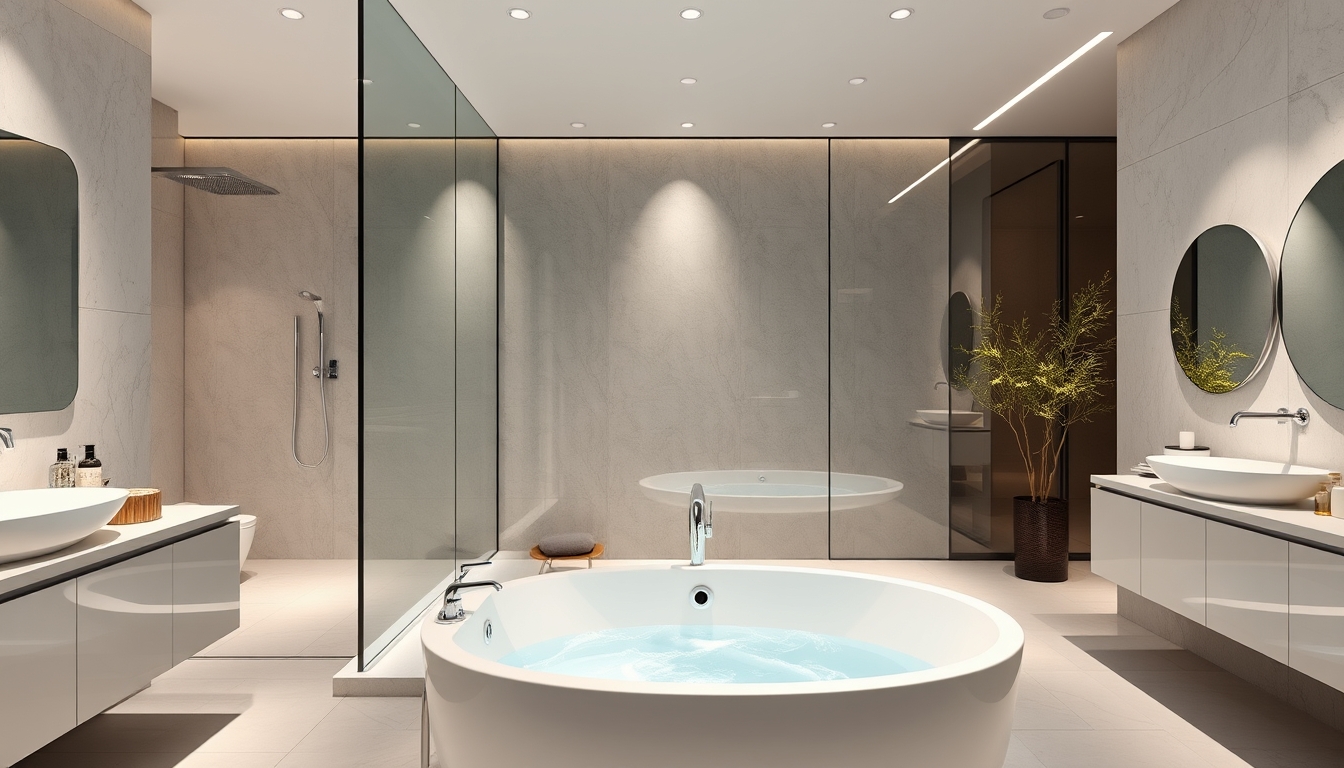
x=1251, y=166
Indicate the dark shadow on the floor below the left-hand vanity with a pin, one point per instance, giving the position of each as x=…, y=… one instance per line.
x=139, y=740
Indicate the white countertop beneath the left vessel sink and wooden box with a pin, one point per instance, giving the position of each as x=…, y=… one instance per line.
x=107, y=544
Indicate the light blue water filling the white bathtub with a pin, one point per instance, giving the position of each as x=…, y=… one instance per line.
x=712, y=654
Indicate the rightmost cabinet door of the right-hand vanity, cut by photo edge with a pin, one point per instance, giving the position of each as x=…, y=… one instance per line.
x=1316, y=614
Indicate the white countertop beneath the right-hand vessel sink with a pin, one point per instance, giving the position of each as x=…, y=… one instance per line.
x=1298, y=523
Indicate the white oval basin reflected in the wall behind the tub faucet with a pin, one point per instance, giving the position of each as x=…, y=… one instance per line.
x=773, y=490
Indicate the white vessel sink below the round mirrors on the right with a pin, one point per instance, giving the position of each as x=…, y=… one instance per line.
x=1240, y=481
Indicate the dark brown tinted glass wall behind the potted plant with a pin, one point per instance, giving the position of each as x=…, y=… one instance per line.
x=1032, y=224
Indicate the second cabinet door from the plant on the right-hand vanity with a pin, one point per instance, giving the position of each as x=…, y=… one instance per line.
x=1173, y=560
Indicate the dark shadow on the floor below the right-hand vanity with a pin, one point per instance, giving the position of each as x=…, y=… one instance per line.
x=1259, y=728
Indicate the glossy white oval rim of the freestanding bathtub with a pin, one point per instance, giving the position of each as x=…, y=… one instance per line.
x=439, y=641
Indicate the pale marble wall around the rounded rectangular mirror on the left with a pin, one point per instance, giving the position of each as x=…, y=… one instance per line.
x=76, y=83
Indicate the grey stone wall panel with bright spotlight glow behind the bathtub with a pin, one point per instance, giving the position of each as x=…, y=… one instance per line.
x=665, y=310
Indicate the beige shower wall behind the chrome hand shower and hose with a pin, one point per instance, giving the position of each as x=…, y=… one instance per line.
x=247, y=259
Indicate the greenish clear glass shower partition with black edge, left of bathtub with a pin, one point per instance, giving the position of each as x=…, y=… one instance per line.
x=428, y=301
